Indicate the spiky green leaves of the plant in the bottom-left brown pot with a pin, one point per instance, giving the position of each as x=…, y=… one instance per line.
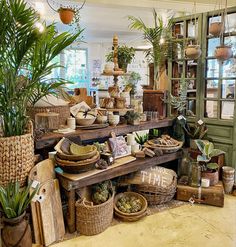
x=14, y=200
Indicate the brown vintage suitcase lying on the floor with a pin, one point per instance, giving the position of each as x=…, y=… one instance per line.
x=214, y=195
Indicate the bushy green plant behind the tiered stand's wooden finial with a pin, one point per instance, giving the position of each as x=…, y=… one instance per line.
x=125, y=56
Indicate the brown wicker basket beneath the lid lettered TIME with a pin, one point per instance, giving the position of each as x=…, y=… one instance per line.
x=157, y=195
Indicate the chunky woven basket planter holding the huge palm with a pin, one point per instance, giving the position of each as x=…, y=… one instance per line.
x=16, y=159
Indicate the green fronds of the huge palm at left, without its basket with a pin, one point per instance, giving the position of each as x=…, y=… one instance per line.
x=25, y=56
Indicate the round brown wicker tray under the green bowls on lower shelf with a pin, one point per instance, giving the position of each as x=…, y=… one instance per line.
x=79, y=166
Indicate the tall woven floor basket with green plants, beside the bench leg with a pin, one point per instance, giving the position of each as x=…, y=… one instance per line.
x=95, y=213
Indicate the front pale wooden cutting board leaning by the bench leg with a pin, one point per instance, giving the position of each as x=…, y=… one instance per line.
x=51, y=212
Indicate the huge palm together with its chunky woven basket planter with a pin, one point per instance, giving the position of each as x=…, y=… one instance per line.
x=26, y=50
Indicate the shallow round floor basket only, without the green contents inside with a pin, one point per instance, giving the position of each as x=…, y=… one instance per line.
x=129, y=194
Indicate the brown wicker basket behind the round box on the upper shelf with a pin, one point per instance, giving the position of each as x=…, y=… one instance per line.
x=64, y=112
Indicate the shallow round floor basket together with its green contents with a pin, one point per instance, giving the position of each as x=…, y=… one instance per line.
x=130, y=206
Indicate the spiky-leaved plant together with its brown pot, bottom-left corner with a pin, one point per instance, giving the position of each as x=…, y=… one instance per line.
x=14, y=202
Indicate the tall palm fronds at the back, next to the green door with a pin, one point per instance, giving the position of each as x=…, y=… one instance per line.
x=160, y=37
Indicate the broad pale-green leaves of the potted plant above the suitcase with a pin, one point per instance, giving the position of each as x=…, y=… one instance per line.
x=207, y=151
